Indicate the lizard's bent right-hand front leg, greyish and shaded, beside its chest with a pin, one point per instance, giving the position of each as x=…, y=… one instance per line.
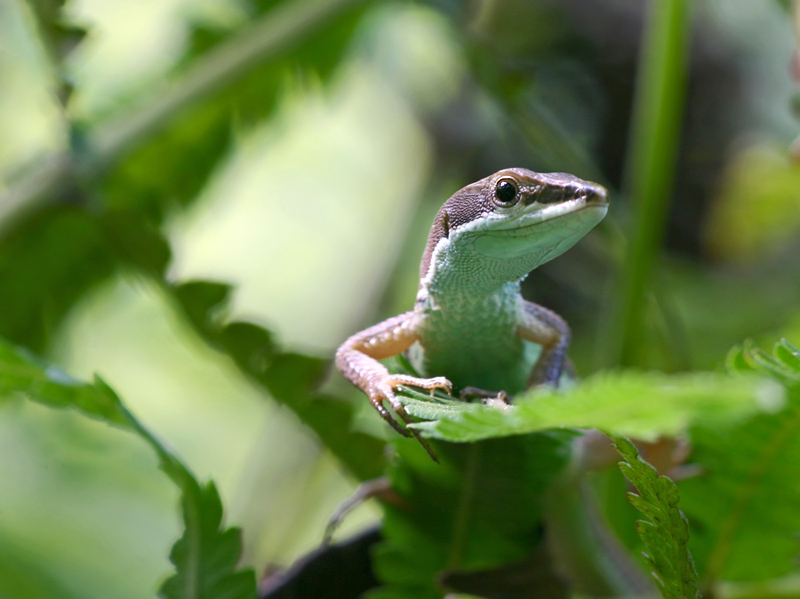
x=549, y=330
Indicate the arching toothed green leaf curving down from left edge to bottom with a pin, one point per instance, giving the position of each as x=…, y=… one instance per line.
x=205, y=556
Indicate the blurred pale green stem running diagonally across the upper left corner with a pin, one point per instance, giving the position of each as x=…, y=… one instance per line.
x=264, y=40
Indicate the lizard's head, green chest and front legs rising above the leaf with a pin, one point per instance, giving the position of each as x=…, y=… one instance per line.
x=470, y=327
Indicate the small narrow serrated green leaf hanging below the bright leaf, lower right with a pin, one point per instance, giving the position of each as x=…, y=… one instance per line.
x=666, y=532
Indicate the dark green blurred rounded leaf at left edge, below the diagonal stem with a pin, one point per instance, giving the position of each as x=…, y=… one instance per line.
x=50, y=261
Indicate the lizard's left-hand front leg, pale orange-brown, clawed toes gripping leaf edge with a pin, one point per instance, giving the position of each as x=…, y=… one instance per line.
x=357, y=359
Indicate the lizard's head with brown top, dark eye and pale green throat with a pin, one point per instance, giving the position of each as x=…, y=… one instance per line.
x=511, y=222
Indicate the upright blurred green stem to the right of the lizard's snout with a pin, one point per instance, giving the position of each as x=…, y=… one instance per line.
x=650, y=167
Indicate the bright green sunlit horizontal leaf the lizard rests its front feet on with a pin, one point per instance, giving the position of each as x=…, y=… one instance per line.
x=640, y=405
